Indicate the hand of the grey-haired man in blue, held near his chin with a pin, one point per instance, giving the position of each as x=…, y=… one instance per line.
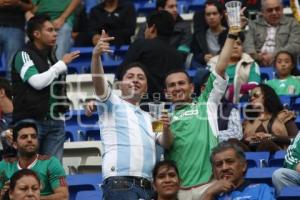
x=220, y=186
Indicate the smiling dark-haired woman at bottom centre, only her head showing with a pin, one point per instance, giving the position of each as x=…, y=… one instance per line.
x=166, y=180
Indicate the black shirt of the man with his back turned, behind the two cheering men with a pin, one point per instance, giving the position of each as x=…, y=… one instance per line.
x=159, y=57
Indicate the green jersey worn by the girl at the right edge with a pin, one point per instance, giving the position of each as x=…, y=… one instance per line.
x=288, y=86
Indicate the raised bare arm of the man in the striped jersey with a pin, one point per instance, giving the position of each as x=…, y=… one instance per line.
x=97, y=68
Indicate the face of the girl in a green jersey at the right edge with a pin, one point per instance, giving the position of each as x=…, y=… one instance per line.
x=284, y=65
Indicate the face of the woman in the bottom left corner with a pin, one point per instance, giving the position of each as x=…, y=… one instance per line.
x=27, y=188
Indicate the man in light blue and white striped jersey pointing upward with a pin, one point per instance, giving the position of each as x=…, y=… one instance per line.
x=126, y=131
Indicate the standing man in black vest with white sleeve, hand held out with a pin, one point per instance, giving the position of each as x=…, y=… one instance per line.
x=35, y=91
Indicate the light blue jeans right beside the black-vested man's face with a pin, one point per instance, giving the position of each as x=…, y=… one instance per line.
x=64, y=40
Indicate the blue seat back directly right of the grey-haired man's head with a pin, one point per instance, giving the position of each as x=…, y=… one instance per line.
x=254, y=158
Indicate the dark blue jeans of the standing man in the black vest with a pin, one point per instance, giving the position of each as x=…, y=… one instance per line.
x=51, y=134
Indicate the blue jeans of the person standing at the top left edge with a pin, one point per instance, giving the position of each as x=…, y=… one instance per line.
x=11, y=40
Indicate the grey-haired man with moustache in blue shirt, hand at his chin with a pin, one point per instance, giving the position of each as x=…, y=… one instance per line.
x=229, y=166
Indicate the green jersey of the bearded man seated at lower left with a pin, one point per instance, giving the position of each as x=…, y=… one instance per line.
x=49, y=170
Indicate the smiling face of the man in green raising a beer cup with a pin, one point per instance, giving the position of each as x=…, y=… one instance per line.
x=179, y=88
